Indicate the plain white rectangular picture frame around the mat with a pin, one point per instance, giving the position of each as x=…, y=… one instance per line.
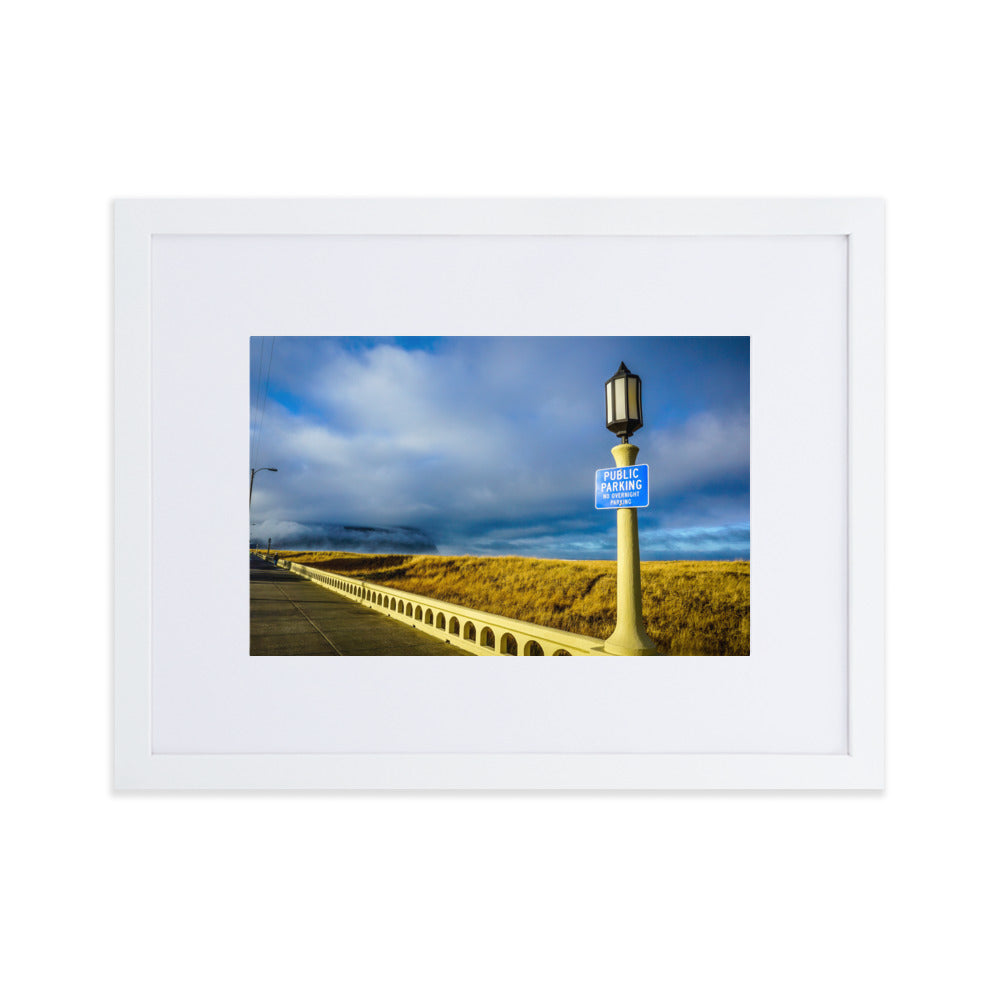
x=858, y=222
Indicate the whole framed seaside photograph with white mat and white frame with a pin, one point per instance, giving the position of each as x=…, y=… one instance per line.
x=543, y=494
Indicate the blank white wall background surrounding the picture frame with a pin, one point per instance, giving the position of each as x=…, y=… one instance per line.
x=696, y=895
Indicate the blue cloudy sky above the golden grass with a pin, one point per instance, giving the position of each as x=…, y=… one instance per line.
x=488, y=445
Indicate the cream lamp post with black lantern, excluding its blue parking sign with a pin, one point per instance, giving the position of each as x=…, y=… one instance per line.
x=623, y=401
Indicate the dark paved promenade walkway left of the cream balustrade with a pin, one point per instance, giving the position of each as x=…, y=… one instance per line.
x=291, y=616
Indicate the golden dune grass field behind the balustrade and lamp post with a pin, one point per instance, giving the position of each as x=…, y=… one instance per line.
x=690, y=608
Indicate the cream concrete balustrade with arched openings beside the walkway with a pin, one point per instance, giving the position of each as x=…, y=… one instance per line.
x=475, y=631
